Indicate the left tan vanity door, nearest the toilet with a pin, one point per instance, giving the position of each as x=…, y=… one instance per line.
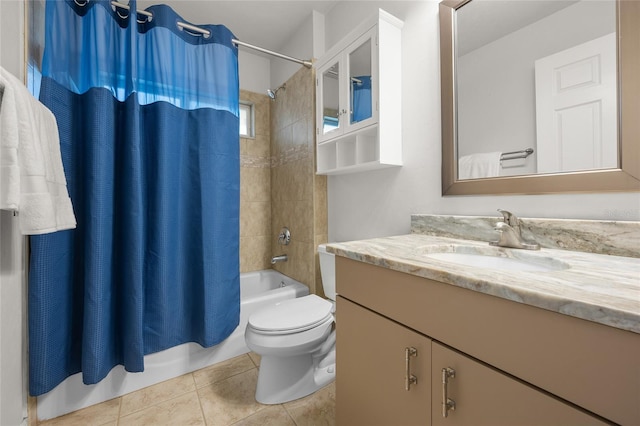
x=371, y=367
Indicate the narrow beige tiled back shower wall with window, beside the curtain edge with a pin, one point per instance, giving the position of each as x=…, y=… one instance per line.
x=255, y=188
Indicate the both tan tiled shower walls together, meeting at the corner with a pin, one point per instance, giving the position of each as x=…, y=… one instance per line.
x=279, y=186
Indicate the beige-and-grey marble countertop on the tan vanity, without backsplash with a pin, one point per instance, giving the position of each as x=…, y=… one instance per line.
x=595, y=287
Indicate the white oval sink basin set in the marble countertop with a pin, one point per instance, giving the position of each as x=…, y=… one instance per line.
x=487, y=258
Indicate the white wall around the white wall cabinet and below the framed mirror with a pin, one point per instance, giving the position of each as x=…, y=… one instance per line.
x=380, y=203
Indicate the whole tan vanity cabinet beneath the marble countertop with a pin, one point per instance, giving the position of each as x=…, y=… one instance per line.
x=515, y=364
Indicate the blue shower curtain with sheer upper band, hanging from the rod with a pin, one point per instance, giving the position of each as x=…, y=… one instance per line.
x=148, y=121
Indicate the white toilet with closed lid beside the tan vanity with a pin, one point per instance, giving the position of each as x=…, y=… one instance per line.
x=296, y=341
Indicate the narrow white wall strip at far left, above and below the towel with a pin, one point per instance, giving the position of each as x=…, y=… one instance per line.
x=12, y=266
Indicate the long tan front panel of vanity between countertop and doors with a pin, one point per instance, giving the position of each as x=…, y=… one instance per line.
x=591, y=365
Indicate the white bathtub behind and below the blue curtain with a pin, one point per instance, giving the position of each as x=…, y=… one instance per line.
x=257, y=289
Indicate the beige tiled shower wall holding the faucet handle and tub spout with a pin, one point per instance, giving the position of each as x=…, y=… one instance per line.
x=298, y=196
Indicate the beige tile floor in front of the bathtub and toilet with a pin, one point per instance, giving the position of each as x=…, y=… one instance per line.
x=220, y=395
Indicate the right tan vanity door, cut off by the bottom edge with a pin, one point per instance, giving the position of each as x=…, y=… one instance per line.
x=485, y=396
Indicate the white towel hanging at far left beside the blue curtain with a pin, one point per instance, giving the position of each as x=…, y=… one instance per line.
x=32, y=180
